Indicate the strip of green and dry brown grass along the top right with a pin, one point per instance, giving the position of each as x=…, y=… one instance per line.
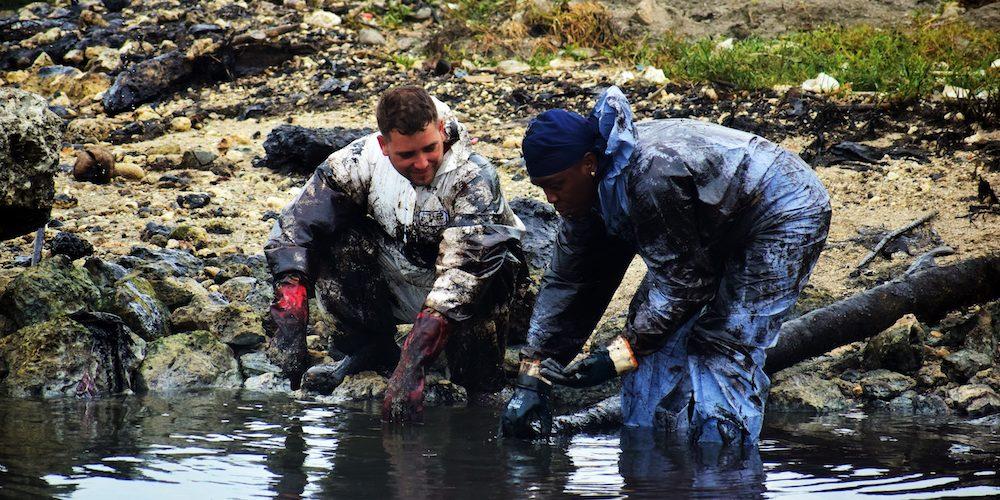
x=903, y=62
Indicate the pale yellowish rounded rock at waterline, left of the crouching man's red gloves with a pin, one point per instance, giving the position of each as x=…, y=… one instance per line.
x=189, y=361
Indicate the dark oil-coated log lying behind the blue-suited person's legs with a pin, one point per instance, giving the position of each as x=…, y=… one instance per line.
x=929, y=293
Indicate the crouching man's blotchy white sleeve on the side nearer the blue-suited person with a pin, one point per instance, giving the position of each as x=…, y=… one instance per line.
x=475, y=248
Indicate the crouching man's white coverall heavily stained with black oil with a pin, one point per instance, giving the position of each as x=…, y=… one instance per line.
x=379, y=250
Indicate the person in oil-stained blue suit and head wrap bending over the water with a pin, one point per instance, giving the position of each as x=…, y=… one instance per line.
x=729, y=226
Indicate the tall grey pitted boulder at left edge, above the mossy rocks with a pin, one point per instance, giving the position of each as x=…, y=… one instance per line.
x=30, y=135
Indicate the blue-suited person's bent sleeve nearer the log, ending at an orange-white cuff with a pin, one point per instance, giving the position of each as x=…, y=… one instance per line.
x=680, y=275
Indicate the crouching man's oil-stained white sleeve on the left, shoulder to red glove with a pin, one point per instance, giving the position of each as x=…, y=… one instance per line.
x=331, y=197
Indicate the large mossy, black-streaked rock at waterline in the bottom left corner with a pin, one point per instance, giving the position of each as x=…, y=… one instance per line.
x=87, y=356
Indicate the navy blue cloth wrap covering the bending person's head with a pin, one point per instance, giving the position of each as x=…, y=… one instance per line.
x=556, y=140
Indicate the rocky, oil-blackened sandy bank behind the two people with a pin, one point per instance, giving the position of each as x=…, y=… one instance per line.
x=173, y=248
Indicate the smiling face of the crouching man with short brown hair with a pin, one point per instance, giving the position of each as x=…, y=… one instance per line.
x=418, y=156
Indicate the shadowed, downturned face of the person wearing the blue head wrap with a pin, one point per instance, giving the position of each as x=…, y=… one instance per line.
x=573, y=191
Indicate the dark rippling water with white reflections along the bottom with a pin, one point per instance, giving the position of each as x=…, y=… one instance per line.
x=224, y=445
